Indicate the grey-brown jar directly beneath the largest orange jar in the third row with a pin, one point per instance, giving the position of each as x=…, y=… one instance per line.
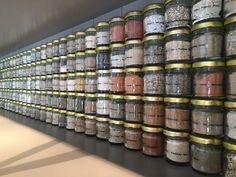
x=134, y=109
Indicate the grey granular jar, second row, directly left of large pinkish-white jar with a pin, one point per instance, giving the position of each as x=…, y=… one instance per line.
x=153, y=50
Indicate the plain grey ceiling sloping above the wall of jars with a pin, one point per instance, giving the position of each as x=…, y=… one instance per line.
x=27, y=21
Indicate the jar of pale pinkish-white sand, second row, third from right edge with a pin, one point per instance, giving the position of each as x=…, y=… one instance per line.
x=178, y=45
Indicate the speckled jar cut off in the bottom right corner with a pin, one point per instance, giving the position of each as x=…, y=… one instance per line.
x=229, y=159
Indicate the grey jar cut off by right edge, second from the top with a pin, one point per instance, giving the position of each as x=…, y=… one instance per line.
x=230, y=37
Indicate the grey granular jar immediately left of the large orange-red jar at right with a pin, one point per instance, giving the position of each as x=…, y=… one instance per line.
x=178, y=80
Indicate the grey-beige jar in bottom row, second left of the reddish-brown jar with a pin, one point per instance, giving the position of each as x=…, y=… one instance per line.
x=116, y=132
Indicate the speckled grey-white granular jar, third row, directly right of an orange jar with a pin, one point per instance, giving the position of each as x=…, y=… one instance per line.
x=154, y=80
